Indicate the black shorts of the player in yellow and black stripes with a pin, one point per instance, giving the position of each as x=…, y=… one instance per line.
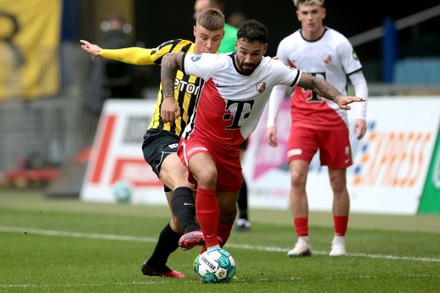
x=157, y=145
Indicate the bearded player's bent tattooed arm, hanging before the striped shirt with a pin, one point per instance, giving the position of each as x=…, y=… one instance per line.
x=171, y=62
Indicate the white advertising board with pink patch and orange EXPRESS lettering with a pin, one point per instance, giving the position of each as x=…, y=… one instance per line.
x=390, y=162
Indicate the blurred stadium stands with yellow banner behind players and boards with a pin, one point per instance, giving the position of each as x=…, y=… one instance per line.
x=50, y=95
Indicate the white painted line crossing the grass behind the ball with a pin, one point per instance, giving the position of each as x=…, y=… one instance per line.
x=149, y=239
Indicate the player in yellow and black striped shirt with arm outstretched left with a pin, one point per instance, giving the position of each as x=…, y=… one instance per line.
x=161, y=139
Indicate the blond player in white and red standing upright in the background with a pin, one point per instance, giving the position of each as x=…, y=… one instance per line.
x=316, y=123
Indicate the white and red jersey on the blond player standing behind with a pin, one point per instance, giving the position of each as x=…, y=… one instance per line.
x=332, y=58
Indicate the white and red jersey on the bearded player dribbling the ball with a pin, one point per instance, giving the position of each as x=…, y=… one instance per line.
x=231, y=103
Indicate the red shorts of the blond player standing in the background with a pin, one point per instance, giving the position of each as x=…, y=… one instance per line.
x=333, y=145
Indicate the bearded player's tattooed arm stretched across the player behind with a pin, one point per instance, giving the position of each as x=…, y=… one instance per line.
x=327, y=90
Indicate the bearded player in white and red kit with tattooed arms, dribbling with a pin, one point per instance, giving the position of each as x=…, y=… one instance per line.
x=236, y=89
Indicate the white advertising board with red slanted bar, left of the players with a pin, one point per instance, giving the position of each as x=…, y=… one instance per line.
x=117, y=155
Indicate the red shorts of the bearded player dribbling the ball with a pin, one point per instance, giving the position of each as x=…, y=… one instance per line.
x=228, y=164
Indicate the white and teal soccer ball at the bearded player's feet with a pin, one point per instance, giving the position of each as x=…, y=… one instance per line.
x=215, y=265
